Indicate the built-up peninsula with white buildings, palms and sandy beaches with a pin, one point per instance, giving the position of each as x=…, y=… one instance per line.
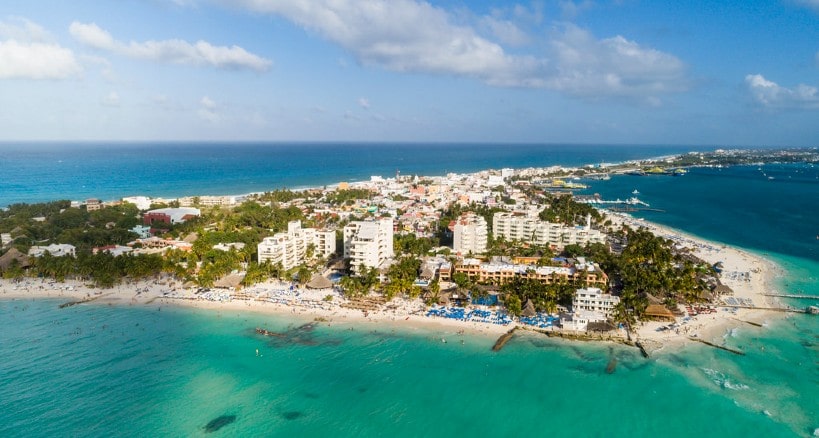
x=484, y=252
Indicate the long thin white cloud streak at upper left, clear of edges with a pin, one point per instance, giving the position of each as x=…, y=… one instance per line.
x=173, y=51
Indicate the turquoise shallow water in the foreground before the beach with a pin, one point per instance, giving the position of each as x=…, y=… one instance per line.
x=110, y=371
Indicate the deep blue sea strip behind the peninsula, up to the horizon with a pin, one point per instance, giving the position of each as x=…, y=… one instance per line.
x=37, y=172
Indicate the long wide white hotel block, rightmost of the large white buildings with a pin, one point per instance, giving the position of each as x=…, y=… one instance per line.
x=530, y=229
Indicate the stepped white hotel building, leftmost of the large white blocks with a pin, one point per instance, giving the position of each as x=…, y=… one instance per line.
x=290, y=248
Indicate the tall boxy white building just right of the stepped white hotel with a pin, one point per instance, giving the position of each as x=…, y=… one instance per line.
x=368, y=243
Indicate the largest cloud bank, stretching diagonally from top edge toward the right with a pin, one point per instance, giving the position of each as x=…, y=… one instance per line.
x=415, y=36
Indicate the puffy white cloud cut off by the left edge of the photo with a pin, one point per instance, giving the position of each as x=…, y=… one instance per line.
x=27, y=52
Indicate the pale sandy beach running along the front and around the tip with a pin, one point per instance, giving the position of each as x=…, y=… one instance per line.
x=749, y=276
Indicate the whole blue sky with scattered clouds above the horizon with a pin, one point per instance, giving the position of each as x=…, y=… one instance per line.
x=723, y=73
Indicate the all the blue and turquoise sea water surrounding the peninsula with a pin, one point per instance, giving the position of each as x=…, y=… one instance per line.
x=99, y=370
